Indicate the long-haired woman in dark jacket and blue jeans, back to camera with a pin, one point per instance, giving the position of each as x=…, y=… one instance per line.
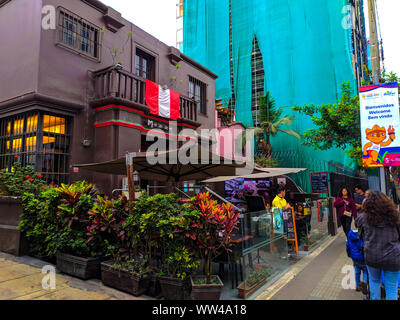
x=379, y=225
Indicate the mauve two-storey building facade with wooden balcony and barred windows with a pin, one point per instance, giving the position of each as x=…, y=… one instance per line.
x=72, y=88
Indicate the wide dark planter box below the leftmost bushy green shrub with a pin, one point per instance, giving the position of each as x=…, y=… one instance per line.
x=83, y=268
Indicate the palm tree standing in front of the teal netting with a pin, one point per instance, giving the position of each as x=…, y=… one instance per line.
x=271, y=122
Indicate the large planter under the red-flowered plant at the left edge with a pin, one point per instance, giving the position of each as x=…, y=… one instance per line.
x=12, y=240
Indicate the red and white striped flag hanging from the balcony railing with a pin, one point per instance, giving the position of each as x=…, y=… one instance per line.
x=164, y=103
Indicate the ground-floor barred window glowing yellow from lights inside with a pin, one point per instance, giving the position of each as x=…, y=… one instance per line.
x=39, y=140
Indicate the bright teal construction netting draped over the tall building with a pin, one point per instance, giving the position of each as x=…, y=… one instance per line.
x=306, y=57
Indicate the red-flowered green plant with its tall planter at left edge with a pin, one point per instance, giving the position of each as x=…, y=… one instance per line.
x=14, y=184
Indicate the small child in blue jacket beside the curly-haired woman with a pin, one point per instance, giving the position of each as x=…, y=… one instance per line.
x=354, y=248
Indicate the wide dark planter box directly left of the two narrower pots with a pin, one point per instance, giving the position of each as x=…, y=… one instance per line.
x=135, y=284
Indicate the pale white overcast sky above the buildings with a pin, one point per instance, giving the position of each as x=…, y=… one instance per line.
x=158, y=17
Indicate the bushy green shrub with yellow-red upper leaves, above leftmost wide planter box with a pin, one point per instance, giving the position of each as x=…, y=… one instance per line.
x=56, y=220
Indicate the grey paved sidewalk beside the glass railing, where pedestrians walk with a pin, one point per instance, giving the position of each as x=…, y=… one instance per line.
x=317, y=276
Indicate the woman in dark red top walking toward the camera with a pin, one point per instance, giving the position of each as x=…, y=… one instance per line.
x=346, y=208
